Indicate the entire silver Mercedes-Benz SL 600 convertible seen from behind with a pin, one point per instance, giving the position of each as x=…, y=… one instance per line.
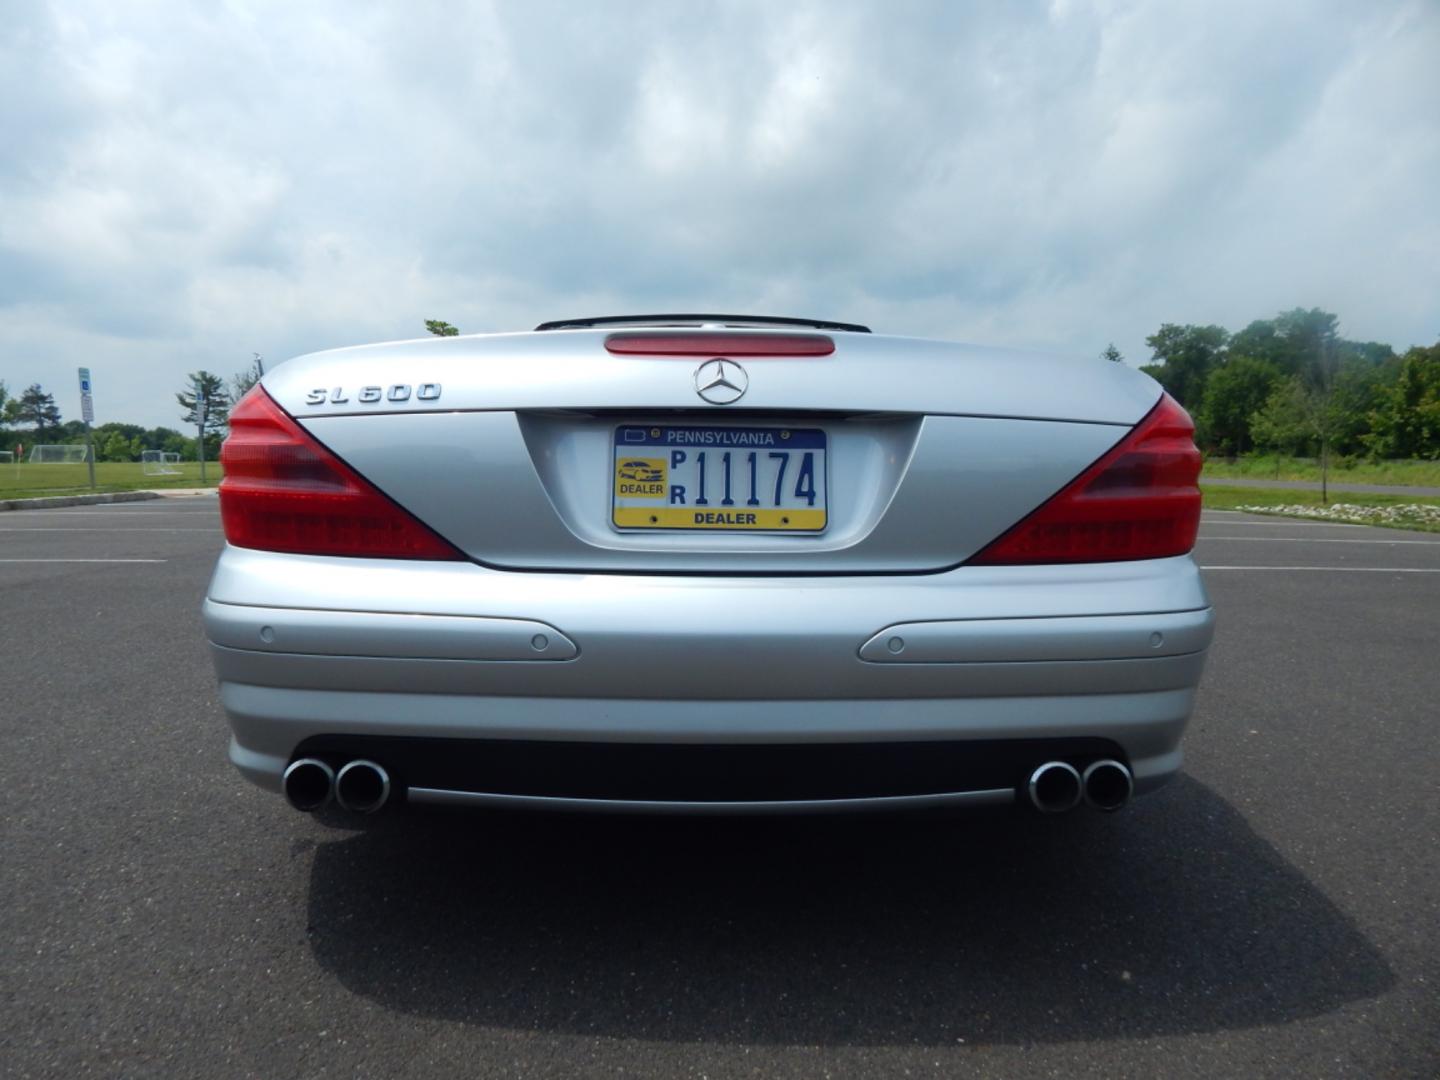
x=708, y=564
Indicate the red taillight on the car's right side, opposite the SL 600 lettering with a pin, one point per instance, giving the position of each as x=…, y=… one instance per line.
x=1140, y=502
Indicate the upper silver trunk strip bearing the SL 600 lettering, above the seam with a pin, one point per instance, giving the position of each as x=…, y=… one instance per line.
x=570, y=369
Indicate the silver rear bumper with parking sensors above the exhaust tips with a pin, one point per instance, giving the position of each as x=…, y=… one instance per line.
x=309, y=649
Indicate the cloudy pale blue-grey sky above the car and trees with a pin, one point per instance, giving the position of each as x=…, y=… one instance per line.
x=184, y=185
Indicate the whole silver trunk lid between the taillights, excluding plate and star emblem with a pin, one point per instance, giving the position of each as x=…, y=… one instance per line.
x=509, y=454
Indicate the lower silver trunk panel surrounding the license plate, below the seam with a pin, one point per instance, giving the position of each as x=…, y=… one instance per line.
x=532, y=493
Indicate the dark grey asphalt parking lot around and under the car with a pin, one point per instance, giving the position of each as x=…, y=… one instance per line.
x=1277, y=912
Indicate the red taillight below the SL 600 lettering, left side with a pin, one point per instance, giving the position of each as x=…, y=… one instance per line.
x=283, y=492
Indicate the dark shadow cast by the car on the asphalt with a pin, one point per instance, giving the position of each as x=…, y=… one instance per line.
x=1170, y=918
